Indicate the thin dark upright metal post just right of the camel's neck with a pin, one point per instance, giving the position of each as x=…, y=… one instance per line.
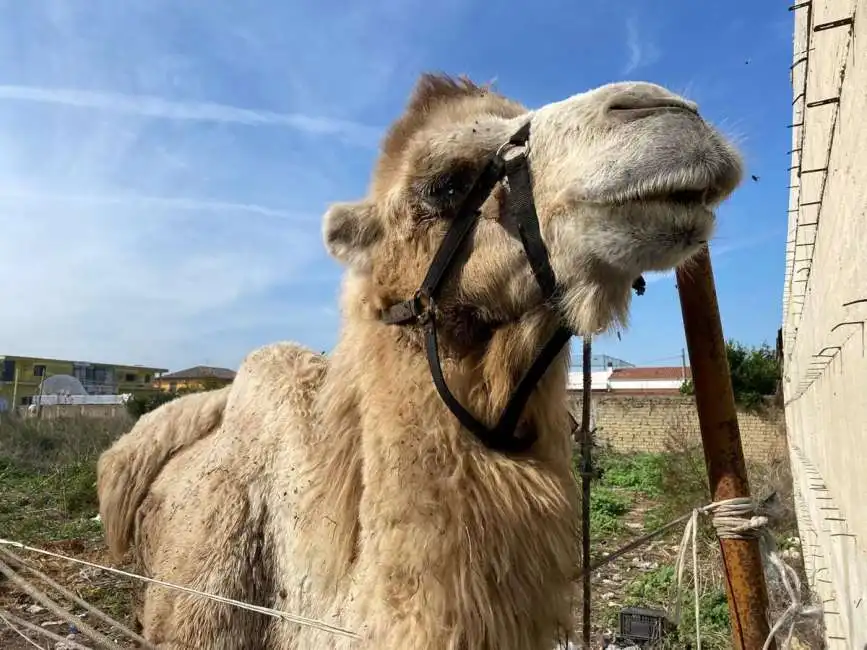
x=586, y=475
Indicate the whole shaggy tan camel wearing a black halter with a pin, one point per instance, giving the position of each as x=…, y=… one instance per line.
x=375, y=489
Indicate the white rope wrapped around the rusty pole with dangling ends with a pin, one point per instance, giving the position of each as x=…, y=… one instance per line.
x=739, y=518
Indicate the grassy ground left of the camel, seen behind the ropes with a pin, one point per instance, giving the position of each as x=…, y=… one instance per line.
x=48, y=500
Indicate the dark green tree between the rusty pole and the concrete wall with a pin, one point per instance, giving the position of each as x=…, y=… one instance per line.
x=755, y=373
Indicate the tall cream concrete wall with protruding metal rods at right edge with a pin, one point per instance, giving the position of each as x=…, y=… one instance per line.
x=824, y=309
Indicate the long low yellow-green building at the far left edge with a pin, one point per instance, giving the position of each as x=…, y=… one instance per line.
x=21, y=377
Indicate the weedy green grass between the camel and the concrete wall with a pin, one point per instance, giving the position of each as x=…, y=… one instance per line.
x=674, y=482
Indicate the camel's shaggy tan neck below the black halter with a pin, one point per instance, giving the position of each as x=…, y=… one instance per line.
x=463, y=541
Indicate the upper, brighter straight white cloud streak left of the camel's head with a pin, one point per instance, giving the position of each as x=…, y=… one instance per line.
x=160, y=108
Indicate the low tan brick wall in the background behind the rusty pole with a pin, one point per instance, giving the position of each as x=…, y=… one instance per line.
x=647, y=423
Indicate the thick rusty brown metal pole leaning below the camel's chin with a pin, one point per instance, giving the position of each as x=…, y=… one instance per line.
x=724, y=457
